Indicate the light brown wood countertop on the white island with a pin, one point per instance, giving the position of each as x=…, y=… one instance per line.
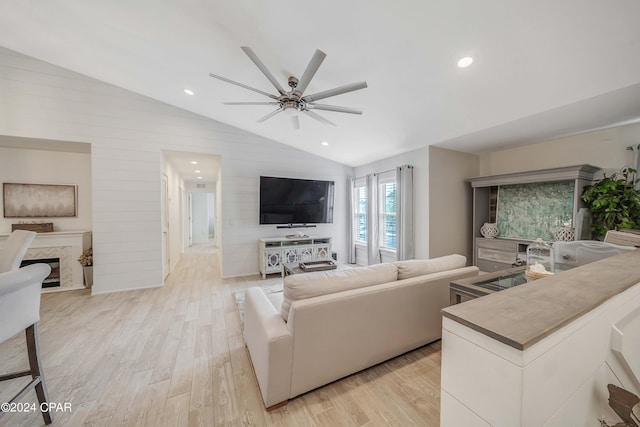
x=523, y=315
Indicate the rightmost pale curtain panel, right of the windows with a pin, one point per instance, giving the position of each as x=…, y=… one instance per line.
x=404, y=213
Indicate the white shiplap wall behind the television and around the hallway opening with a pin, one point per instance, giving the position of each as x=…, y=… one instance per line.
x=127, y=133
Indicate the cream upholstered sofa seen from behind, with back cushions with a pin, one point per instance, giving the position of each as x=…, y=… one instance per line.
x=327, y=325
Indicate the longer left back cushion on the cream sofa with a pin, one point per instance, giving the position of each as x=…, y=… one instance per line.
x=308, y=285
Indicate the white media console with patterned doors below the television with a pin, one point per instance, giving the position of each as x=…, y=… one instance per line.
x=275, y=251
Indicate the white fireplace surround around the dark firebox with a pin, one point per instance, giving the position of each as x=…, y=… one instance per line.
x=65, y=245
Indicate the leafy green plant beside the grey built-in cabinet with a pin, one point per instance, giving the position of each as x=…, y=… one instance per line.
x=614, y=202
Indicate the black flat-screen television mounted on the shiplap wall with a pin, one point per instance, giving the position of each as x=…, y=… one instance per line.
x=295, y=201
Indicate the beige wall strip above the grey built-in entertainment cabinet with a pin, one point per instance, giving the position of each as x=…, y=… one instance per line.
x=605, y=149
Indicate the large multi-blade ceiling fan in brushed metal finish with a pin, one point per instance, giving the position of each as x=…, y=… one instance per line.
x=293, y=100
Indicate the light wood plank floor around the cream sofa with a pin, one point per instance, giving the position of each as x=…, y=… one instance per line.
x=175, y=356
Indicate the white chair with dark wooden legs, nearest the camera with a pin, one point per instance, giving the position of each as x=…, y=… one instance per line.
x=20, y=311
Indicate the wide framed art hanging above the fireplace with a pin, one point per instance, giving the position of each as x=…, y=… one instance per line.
x=39, y=200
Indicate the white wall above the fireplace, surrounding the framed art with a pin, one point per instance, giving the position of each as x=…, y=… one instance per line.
x=48, y=167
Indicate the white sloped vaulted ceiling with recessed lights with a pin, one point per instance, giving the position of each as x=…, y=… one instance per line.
x=542, y=68
